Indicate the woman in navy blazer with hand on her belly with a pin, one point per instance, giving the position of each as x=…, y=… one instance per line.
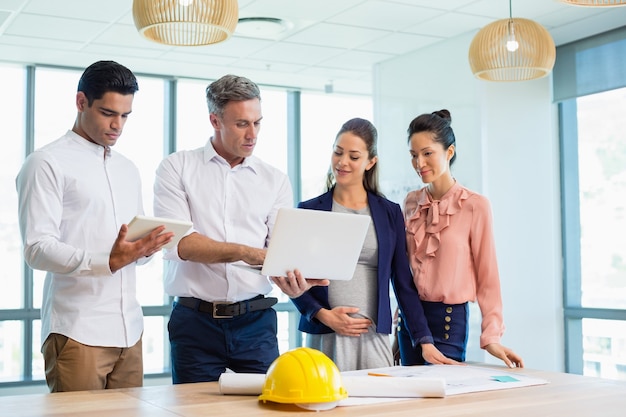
x=353, y=187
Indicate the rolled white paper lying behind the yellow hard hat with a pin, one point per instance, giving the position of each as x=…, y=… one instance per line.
x=357, y=386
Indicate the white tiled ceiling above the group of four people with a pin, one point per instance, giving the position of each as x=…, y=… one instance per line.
x=329, y=42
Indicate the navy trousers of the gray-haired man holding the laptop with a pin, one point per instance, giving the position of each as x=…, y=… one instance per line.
x=202, y=347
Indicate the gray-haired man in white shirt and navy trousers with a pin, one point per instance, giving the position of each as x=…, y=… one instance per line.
x=221, y=317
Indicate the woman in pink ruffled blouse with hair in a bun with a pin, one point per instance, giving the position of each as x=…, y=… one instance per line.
x=451, y=249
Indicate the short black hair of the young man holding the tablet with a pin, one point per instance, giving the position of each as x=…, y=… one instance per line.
x=106, y=76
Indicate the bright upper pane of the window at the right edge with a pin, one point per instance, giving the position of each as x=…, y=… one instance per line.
x=602, y=184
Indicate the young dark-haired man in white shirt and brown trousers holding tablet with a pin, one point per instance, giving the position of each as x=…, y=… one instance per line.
x=75, y=197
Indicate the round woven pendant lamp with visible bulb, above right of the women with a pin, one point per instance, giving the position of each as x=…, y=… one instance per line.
x=512, y=50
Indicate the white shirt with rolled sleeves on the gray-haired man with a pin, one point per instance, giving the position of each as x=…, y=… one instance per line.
x=236, y=205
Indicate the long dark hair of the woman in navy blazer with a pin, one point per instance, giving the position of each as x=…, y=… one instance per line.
x=365, y=130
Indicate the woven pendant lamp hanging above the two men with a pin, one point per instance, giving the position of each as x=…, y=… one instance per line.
x=186, y=22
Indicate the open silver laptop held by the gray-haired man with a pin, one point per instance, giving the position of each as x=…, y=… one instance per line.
x=321, y=244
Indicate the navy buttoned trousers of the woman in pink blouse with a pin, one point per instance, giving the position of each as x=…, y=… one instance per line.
x=449, y=325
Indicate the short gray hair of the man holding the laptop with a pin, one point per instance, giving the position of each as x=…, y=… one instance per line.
x=229, y=88
